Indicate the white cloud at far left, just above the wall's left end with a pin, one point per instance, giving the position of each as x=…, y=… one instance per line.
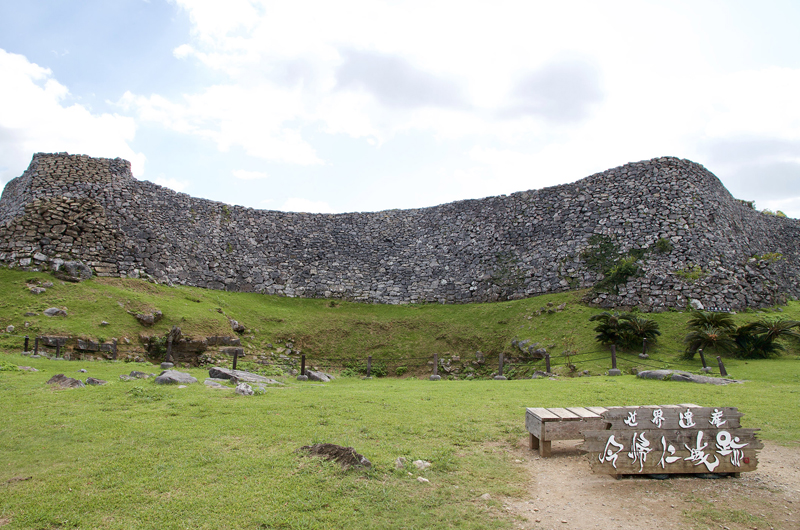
x=35, y=118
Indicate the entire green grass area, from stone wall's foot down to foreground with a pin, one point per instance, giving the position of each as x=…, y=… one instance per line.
x=132, y=454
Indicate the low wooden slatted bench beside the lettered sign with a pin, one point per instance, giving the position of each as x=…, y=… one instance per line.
x=545, y=425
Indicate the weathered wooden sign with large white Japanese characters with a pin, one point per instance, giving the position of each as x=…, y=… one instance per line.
x=671, y=439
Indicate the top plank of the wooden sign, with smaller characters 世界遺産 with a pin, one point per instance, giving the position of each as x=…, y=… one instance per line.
x=683, y=417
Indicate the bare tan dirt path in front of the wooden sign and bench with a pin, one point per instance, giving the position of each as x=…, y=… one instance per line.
x=564, y=494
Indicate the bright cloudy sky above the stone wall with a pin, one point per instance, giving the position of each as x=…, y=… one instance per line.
x=326, y=106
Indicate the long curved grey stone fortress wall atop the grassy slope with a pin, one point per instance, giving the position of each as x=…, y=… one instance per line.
x=70, y=207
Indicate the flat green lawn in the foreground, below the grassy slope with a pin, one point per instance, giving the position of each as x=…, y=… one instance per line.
x=138, y=455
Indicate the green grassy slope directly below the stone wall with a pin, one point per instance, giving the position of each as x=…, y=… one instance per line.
x=322, y=329
